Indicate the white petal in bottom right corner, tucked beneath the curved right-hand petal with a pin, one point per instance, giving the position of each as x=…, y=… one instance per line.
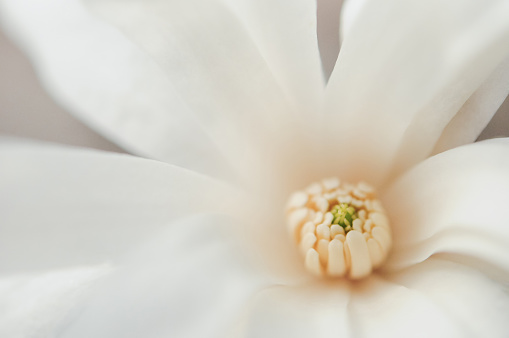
x=478, y=304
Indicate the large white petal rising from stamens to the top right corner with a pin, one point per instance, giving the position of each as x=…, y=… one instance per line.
x=403, y=72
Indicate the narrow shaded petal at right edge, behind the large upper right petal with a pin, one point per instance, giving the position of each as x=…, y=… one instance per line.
x=477, y=112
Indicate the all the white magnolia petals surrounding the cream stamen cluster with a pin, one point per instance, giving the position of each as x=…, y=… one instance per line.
x=231, y=95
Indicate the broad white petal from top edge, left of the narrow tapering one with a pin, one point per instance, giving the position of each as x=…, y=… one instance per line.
x=218, y=71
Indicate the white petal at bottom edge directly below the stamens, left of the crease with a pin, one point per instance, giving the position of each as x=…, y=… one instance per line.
x=318, y=310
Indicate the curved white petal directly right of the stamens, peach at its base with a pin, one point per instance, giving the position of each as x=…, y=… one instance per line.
x=456, y=203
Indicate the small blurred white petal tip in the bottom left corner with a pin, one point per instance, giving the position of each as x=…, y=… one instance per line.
x=36, y=305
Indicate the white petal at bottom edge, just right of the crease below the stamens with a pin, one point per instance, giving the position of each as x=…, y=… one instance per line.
x=380, y=308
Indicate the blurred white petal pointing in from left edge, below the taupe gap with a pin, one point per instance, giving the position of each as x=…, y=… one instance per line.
x=62, y=206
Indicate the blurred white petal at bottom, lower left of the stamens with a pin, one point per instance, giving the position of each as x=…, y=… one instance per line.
x=191, y=280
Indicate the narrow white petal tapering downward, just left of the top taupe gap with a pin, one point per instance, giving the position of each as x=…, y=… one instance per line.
x=285, y=33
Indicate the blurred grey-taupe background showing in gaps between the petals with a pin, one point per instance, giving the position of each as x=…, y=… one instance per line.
x=27, y=111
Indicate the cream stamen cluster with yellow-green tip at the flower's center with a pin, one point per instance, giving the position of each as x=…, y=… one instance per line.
x=340, y=228
